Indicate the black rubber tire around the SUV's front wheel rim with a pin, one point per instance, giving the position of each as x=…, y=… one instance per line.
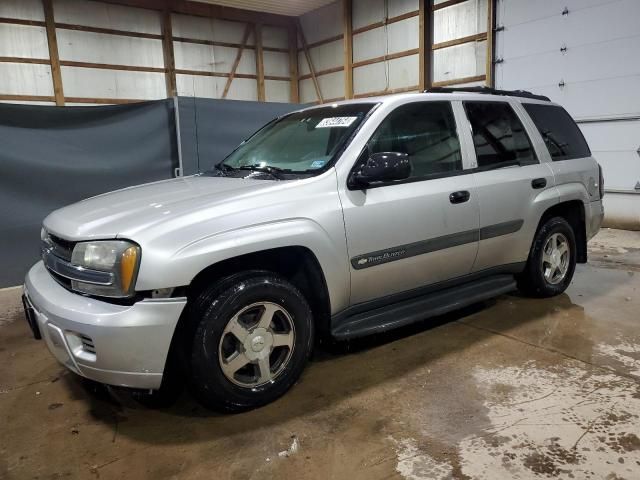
x=213, y=309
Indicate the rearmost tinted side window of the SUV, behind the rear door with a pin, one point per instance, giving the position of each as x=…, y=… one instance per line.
x=560, y=133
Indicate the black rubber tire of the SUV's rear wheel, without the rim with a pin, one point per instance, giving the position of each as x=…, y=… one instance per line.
x=532, y=281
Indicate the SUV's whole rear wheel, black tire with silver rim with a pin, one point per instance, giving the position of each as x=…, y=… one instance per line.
x=547, y=275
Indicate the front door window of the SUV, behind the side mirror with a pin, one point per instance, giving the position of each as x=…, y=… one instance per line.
x=426, y=131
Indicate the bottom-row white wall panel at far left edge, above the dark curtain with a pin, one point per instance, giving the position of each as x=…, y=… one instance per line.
x=25, y=79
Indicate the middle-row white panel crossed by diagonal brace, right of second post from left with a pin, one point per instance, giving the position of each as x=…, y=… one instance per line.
x=209, y=58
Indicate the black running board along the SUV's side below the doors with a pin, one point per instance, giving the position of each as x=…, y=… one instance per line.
x=420, y=308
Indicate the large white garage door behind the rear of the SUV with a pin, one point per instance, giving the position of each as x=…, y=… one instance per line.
x=583, y=54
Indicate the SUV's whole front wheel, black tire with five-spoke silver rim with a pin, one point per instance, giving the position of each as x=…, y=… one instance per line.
x=256, y=321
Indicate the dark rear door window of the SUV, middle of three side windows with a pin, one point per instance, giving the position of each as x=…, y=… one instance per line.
x=498, y=135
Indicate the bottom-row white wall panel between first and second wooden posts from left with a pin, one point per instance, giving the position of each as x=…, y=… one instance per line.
x=98, y=83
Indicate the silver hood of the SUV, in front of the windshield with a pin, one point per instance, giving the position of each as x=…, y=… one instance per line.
x=125, y=212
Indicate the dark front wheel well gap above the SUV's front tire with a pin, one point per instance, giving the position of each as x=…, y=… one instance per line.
x=297, y=264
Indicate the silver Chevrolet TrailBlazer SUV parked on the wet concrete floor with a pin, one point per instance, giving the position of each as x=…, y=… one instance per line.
x=338, y=221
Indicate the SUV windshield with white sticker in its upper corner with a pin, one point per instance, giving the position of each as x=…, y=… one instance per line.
x=301, y=142
